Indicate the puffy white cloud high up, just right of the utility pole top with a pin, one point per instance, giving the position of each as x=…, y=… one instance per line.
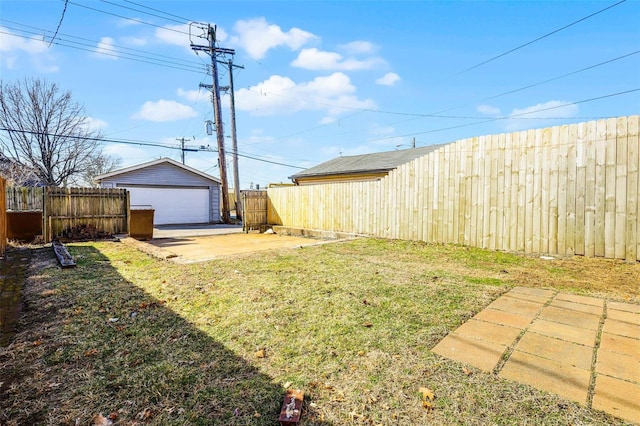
x=256, y=36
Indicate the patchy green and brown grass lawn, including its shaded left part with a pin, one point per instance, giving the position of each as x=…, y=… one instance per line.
x=145, y=341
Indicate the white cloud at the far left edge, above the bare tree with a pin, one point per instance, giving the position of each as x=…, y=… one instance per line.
x=14, y=47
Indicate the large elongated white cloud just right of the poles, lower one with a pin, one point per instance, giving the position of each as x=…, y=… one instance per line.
x=280, y=95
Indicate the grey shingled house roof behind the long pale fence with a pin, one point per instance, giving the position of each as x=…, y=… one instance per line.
x=367, y=163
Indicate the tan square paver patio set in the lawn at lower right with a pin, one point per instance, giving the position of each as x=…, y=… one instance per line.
x=553, y=340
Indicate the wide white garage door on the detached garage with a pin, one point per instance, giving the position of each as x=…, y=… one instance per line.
x=173, y=205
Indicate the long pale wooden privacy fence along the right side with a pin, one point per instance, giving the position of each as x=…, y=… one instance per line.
x=566, y=190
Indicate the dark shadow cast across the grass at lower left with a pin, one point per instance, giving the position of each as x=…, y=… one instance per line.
x=92, y=343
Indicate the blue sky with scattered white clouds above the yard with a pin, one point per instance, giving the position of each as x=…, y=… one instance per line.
x=324, y=79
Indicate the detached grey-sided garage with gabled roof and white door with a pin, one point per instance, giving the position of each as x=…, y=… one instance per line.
x=179, y=194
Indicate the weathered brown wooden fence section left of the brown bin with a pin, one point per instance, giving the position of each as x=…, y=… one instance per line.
x=65, y=208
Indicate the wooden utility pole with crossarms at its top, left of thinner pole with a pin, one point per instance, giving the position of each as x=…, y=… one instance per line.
x=213, y=52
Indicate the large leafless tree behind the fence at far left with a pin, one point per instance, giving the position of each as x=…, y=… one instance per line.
x=43, y=129
